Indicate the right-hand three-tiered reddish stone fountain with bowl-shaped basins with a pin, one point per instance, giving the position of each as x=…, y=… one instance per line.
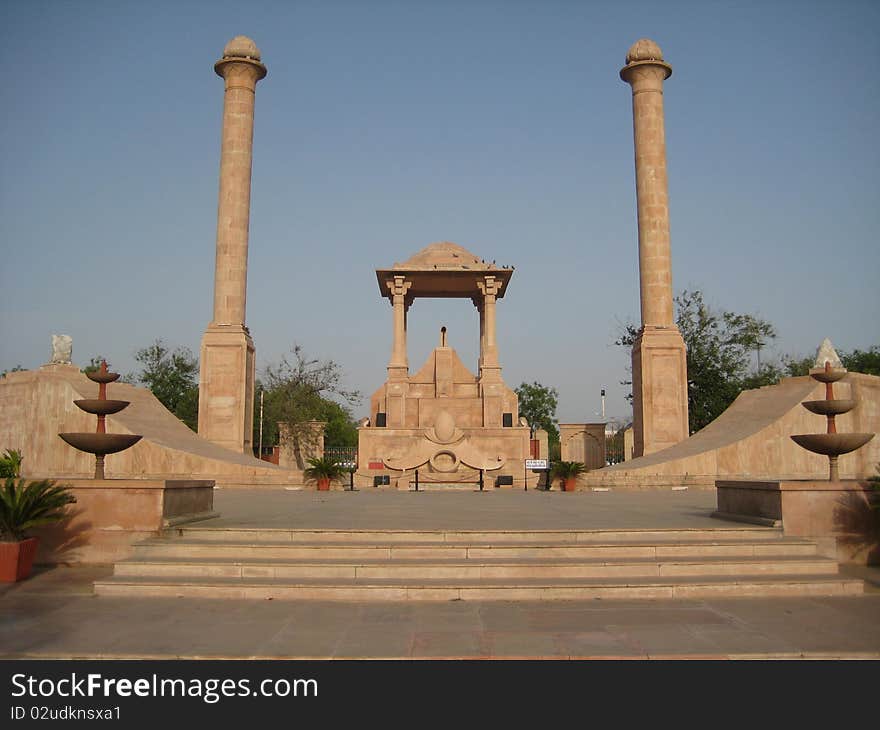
x=829, y=370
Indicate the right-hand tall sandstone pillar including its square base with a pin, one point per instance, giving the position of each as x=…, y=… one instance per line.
x=659, y=359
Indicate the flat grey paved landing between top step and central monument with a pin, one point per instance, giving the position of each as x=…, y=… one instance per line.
x=499, y=509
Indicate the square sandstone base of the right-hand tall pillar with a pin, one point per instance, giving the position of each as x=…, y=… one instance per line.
x=660, y=406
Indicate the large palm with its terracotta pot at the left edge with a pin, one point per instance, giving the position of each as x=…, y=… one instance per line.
x=23, y=506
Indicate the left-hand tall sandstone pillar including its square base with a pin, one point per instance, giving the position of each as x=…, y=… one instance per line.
x=228, y=362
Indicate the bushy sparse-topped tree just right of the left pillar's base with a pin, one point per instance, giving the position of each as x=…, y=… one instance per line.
x=300, y=389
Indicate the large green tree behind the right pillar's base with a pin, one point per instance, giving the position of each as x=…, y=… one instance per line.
x=719, y=347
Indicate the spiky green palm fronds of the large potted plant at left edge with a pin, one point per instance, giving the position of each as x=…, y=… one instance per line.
x=28, y=504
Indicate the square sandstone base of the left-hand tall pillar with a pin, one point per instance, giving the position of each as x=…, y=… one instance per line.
x=226, y=387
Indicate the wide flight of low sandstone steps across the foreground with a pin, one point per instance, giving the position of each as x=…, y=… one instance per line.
x=509, y=565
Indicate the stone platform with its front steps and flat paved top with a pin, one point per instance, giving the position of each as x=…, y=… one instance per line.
x=491, y=546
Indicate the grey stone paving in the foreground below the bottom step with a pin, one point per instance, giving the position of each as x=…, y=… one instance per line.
x=68, y=622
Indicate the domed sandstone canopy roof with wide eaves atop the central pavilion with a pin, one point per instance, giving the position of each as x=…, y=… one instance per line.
x=446, y=270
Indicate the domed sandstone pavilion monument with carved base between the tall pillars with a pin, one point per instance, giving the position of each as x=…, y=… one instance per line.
x=444, y=420
